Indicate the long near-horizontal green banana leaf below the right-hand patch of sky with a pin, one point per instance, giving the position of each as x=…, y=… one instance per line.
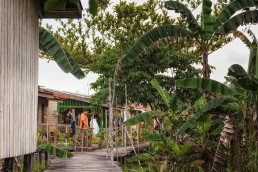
x=206, y=85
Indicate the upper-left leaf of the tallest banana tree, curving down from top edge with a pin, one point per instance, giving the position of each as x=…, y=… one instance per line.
x=182, y=9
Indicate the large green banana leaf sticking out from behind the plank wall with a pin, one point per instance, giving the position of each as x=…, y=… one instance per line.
x=65, y=61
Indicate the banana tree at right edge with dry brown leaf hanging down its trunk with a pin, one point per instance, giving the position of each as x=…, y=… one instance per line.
x=239, y=104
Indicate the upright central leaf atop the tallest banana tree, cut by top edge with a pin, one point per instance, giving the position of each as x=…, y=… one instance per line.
x=207, y=20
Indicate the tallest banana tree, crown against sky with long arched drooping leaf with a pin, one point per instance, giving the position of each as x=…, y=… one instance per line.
x=205, y=35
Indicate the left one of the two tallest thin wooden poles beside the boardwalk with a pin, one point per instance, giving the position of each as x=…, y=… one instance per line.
x=110, y=121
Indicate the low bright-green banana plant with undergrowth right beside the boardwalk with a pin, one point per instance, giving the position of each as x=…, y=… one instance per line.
x=167, y=146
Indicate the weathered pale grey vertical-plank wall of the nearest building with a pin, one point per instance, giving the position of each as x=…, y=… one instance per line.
x=18, y=76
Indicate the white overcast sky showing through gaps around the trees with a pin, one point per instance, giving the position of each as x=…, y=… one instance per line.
x=51, y=76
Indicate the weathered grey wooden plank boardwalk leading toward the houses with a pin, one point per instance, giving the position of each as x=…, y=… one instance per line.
x=93, y=161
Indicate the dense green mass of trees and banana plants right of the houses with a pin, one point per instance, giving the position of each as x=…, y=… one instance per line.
x=208, y=126
